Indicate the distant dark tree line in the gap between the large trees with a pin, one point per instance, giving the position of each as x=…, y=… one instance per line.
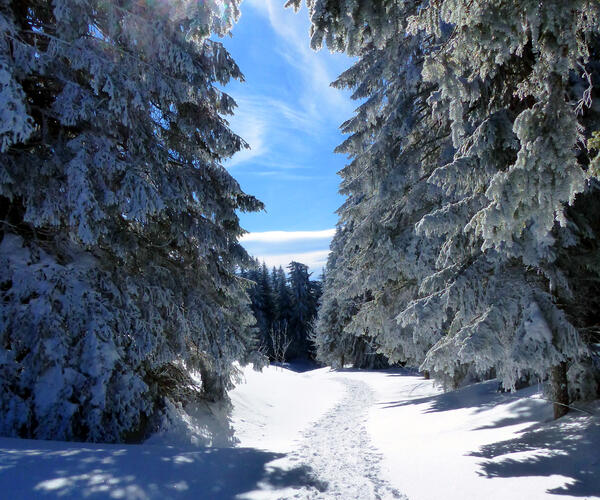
x=285, y=308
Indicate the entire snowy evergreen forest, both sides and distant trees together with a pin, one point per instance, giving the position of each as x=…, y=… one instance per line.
x=467, y=247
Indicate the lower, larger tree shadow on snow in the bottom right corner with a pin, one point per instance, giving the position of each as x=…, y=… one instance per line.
x=568, y=447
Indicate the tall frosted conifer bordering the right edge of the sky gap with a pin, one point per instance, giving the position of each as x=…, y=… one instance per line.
x=377, y=258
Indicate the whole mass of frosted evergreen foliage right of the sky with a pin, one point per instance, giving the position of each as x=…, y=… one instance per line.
x=469, y=184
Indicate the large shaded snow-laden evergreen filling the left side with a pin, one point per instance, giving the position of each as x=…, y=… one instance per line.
x=118, y=225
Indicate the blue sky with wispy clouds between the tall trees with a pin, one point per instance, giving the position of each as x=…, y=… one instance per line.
x=290, y=116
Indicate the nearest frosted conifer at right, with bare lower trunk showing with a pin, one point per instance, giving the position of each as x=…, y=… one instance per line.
x=506, y=79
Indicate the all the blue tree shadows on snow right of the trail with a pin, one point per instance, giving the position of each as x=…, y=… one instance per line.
x=569, y=447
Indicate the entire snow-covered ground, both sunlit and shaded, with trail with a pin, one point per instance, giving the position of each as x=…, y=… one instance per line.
x=331, y=434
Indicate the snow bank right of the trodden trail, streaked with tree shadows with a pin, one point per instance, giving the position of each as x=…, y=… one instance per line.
x=476, y=443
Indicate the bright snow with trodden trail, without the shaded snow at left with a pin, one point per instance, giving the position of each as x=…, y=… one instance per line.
x=391, y=434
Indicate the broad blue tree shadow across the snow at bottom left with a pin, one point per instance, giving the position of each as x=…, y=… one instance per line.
x=45, y=469
